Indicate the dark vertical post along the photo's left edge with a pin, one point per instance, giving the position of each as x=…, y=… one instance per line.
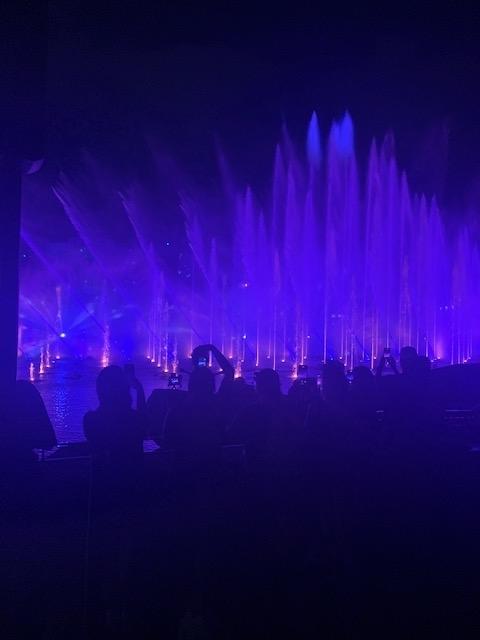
x=22, y=74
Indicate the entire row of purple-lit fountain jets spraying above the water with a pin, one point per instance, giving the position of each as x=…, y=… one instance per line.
x=328, y=265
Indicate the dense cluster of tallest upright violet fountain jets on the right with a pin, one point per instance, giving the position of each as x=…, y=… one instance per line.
x=327, y=269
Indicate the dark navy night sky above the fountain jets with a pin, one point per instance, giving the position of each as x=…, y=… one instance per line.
x=186, y=72
